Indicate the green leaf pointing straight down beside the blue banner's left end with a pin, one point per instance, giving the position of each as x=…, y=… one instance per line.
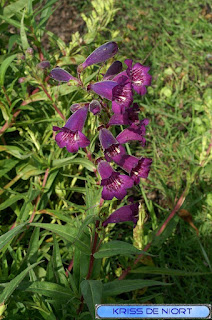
x=92, y=293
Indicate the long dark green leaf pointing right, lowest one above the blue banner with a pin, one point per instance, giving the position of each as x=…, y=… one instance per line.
x=121, y=286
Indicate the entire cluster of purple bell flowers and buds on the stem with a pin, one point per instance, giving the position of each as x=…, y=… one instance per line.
x=118, y=86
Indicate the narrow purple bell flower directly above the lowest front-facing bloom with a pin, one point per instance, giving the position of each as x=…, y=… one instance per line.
x=112, y=149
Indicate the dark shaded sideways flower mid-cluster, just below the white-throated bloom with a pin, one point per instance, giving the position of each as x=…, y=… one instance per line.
x=129, y=116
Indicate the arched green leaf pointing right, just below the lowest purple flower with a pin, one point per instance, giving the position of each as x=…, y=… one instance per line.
x=114, y=248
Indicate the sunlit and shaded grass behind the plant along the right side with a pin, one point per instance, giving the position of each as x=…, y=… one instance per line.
x=173, y=37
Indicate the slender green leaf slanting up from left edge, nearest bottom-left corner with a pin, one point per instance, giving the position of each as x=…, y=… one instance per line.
x=14, y=283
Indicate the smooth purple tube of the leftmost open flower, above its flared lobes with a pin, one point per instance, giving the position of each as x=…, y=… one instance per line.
x=77, y=119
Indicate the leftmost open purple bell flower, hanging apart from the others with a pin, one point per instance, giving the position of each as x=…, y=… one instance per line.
x=71, y=136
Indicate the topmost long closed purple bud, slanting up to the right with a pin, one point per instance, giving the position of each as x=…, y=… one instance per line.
x=101, y=54
